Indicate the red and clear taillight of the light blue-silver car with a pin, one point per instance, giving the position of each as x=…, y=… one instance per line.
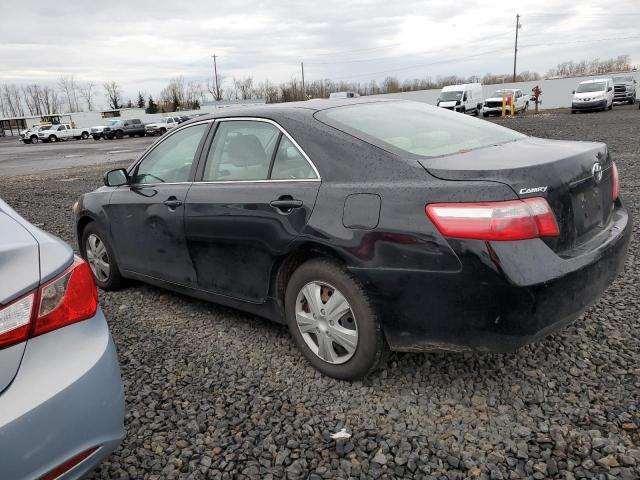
x=68, y=298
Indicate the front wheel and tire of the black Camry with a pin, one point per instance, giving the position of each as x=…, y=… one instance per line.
x=97, y=251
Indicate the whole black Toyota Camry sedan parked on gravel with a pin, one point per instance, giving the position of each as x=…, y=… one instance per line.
x=366, y=225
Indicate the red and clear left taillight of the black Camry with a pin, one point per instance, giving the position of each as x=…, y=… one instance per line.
x=510, y=220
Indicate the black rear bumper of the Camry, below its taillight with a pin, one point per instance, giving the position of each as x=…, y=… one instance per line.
x=507, y=294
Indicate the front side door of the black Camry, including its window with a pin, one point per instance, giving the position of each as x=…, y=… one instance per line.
x=147, y=216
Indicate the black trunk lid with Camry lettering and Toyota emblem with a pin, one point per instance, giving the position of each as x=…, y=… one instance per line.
x=575, y=178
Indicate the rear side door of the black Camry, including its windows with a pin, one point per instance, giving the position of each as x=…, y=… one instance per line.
x=256, y=192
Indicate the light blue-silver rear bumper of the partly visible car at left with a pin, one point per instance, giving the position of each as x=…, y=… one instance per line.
x=66, y=398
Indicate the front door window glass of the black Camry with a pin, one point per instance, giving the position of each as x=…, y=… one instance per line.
x=171, y=160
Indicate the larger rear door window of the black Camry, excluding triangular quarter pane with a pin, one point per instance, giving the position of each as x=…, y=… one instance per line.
x=242, y=150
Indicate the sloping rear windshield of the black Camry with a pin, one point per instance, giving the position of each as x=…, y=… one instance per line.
x=416, y=128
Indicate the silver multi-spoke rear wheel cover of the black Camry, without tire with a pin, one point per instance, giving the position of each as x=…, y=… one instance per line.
x=326, y=322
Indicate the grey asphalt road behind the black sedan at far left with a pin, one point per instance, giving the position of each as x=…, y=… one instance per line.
x=17, y=158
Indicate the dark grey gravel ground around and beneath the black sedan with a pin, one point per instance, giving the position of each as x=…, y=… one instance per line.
x=216, y=393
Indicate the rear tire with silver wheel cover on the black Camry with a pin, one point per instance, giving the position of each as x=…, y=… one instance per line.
x=332, y=320
